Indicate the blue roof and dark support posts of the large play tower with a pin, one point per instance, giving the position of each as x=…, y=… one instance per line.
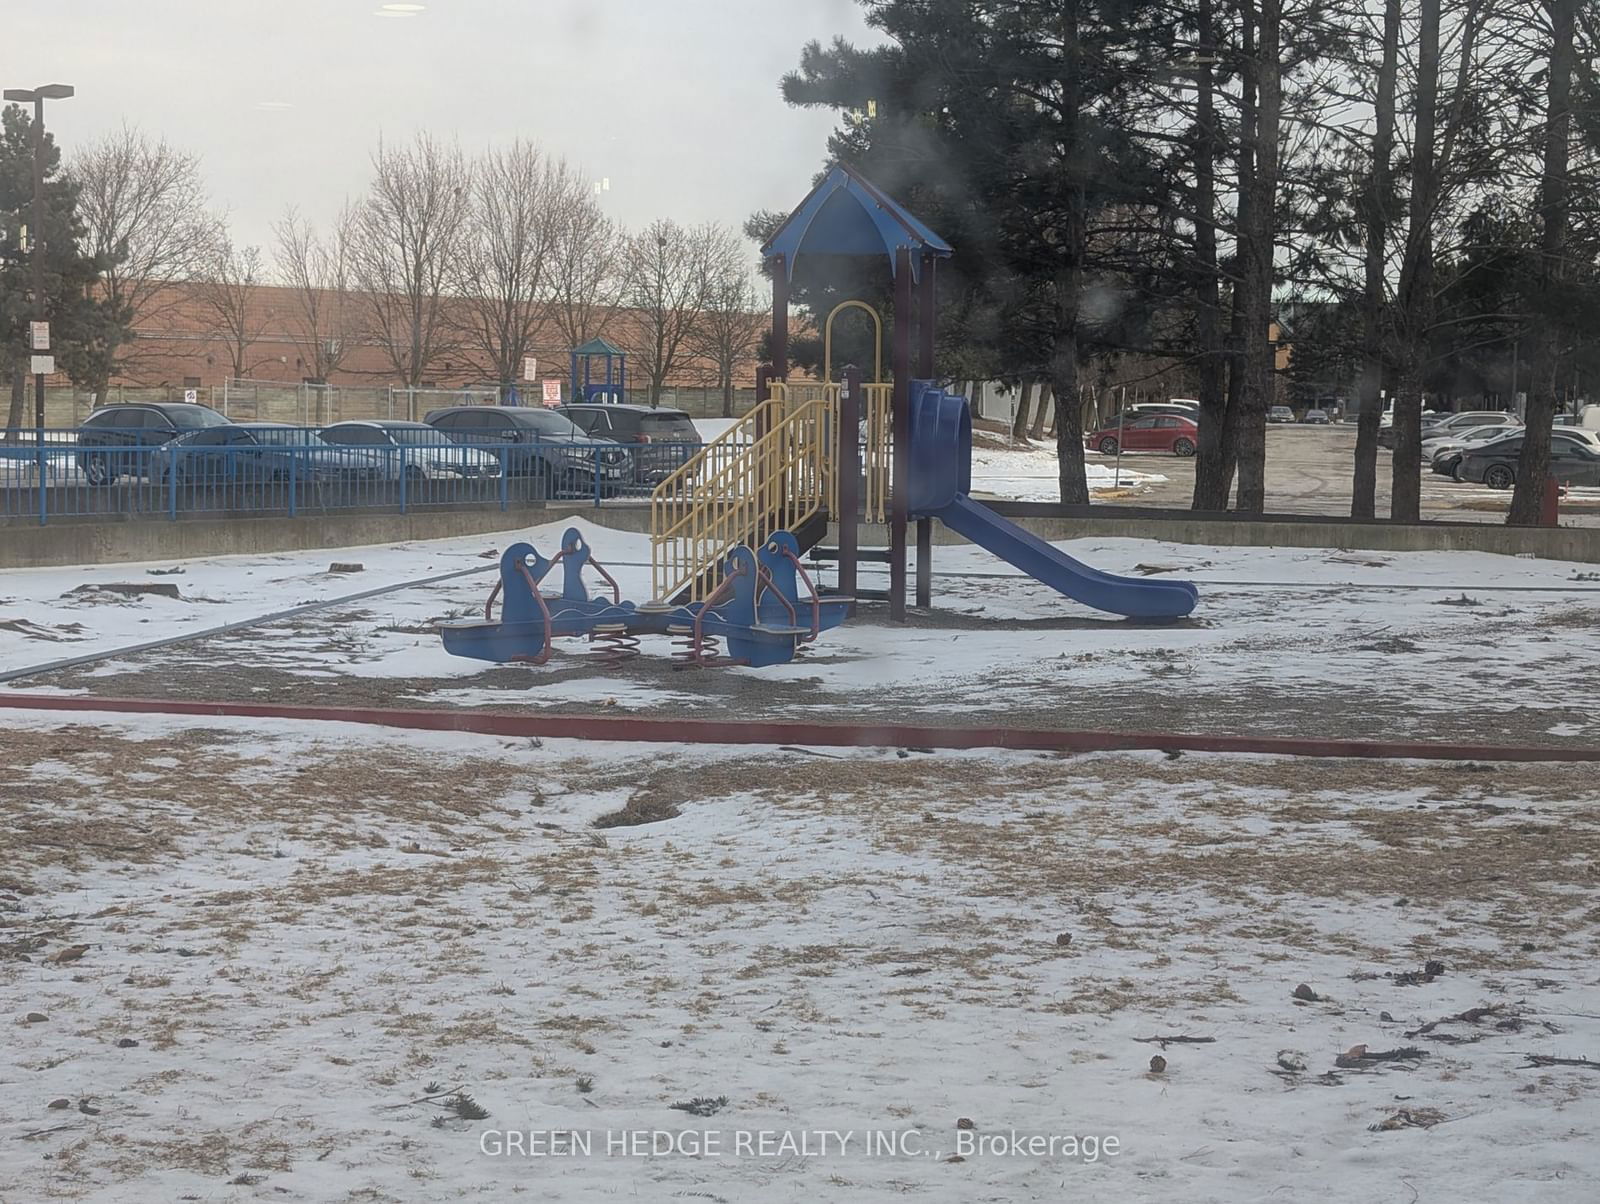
x=849, y=215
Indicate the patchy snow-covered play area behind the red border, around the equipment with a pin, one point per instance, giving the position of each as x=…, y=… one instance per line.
x=1289, y=641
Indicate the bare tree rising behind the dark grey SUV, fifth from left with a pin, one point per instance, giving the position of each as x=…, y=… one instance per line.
x=522, y=206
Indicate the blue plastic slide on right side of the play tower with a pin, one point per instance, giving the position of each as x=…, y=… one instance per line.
x=942, y=475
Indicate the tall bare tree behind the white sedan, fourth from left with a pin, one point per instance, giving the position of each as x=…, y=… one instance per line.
x=404, y=241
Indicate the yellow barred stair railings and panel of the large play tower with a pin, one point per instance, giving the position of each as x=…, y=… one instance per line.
x=774, y=470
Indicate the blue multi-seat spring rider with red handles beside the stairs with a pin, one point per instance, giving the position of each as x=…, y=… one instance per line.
x=756, y=612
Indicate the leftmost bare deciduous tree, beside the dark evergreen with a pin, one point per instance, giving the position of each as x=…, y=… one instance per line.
x=145, y=217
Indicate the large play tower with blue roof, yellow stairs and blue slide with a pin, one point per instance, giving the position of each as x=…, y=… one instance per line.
x=791, y=464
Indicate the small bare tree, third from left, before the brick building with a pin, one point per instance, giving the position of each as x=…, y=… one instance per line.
x=318, y=273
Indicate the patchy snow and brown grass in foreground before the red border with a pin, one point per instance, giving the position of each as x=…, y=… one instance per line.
x=249, y=960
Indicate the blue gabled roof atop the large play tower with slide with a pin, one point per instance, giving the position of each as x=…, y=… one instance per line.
x=849, y=215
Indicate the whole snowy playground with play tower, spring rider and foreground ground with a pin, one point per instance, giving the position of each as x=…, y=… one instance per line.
x=338, y=869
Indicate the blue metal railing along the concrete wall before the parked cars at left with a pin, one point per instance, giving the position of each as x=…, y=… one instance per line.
x=103, y=472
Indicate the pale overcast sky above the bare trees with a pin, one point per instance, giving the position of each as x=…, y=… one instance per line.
x=676, y=102
